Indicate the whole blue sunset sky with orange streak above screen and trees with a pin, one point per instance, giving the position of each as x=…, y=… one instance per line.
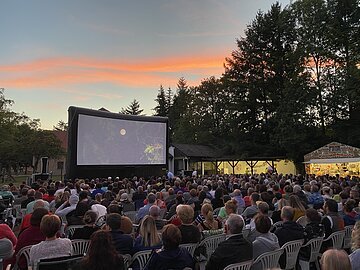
x=93, y=54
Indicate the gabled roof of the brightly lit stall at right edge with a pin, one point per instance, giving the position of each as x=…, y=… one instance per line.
x=333, y=150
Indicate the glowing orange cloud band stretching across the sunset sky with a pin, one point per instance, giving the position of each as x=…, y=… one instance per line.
x=150, y=72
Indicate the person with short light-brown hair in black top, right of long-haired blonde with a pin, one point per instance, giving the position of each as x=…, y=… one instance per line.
x=189, y=232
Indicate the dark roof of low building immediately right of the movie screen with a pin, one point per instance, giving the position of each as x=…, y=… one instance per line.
x=193, y=150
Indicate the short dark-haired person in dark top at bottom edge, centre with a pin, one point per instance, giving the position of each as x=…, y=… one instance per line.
x=171, y=256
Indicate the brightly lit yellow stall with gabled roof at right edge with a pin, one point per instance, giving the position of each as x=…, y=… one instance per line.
x=333, y=158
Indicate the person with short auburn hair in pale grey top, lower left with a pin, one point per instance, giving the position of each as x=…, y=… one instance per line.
x=52, y=247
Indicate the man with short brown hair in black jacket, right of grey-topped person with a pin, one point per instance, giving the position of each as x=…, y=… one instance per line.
x=289, y=231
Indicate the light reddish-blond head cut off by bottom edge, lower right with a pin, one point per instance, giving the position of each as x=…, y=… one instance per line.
x=334, y=259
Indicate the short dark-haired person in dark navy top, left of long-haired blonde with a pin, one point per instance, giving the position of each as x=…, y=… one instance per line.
x=122, y=242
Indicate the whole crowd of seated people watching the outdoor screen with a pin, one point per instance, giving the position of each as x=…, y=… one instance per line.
x=268, y=205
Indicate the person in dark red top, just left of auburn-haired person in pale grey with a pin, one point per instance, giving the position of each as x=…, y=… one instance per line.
x=30, y=236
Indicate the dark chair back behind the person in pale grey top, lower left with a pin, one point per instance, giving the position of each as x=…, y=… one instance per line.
x=59, y=263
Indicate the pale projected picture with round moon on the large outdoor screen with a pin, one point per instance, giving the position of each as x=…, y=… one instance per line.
x=110, y=141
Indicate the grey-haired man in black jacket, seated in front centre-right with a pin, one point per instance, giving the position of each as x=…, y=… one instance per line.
x=234, y=249
